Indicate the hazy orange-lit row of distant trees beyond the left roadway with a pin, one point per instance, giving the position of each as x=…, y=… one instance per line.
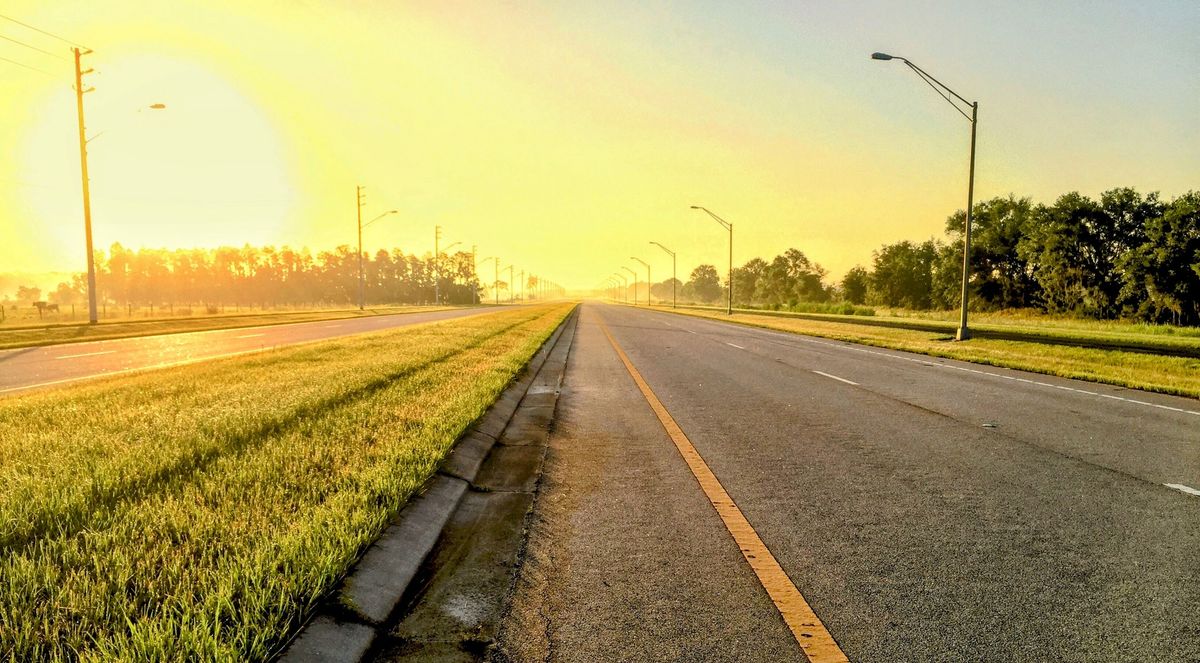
x=268, y=276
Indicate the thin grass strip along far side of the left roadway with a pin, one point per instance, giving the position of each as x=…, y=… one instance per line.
x=32, y=336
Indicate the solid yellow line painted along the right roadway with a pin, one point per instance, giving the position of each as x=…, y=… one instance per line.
x=813, y=637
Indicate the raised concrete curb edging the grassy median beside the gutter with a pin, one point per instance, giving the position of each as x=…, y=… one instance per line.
x=346, y=628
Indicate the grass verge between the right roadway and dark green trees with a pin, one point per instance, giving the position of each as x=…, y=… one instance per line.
x=1138, y=371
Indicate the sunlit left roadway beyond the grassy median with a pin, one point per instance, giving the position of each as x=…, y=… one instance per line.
x=61, y=365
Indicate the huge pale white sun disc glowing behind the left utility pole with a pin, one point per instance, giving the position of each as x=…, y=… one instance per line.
x=179, y=158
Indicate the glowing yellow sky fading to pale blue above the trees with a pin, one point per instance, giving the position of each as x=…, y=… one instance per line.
x=565, y=138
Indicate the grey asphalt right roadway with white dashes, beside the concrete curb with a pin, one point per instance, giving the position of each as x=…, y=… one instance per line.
x=927, y=510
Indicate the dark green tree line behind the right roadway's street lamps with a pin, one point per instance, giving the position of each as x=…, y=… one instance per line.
x=1123, y=256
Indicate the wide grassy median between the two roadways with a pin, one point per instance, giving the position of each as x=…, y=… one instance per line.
x=195, y=515
